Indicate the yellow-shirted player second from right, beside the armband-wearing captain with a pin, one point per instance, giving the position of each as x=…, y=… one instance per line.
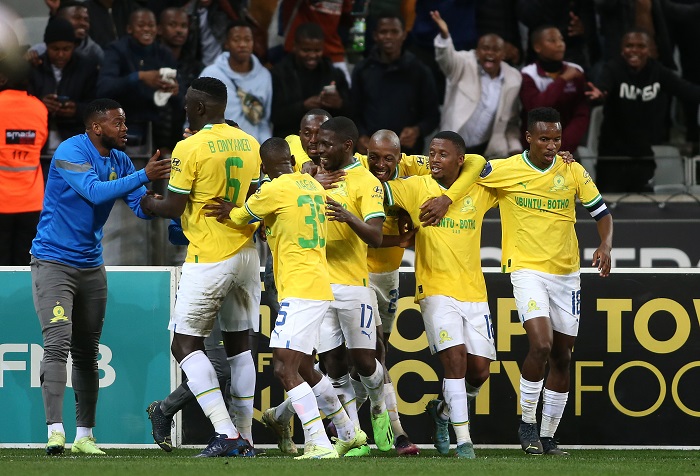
x=450, y=286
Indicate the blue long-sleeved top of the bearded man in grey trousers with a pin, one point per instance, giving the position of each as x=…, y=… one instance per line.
x=80, y=193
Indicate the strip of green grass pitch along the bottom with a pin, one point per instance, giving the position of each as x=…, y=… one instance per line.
x=502, y=462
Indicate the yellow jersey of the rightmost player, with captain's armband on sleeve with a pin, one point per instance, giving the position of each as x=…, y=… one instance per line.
x=538, y=211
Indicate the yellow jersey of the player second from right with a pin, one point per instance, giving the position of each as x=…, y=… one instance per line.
x=448, y=256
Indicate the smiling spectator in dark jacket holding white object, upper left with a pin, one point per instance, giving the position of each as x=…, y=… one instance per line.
x=131, y=73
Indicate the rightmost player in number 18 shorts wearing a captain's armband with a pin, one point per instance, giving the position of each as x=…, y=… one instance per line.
x=536, y=195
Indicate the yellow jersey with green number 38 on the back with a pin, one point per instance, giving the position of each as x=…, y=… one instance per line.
x=294, y=209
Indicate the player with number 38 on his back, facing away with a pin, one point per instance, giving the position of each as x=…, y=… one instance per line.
x=293, y=207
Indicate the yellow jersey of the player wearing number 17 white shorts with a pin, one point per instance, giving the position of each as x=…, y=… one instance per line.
x=362, y=195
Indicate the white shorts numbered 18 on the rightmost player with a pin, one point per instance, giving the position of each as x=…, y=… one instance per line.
x=556, y=296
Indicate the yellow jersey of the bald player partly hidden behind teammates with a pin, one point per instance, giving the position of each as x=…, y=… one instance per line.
x=385, y=259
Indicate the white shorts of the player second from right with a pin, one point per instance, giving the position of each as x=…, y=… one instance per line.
x=449, y=322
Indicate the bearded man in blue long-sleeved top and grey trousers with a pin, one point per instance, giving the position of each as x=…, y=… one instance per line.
x=88, y=173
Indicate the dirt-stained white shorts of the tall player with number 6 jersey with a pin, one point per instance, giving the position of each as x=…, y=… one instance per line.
x=231, y=286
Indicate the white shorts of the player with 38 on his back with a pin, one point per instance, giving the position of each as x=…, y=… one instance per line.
x=298, y=324
